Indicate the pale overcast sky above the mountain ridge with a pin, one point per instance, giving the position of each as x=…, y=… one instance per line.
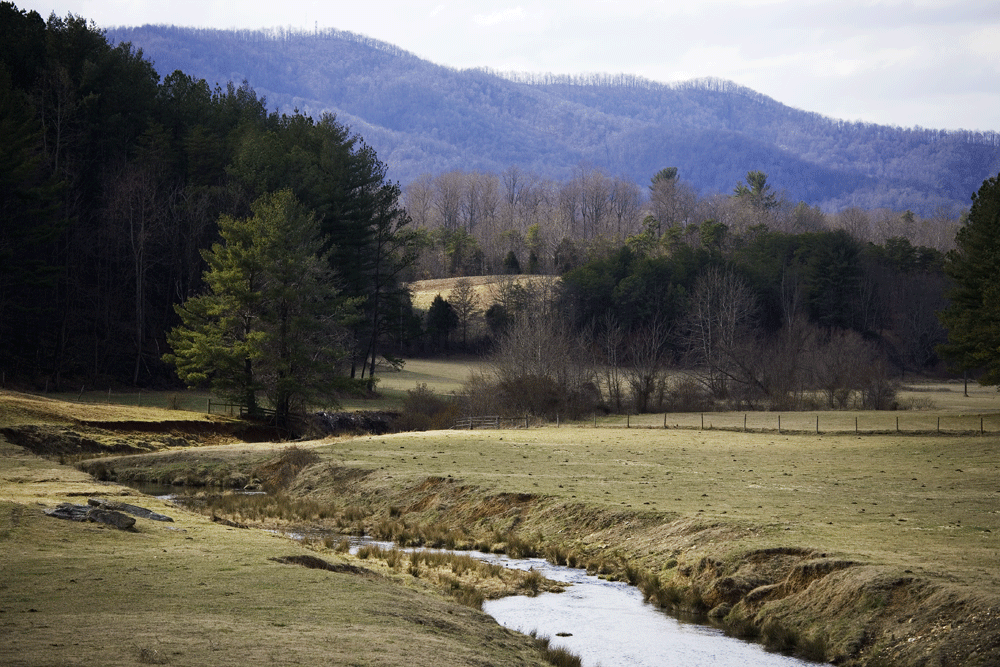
x=930, y=63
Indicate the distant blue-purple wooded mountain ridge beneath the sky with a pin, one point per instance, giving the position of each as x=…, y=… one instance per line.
x=426, y=118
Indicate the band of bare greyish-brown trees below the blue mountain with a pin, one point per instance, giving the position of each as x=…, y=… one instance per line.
x=483, y=223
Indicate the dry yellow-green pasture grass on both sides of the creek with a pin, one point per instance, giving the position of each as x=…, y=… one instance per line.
x=918, y=502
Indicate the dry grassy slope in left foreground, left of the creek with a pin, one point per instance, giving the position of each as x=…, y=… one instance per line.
x=198, y=593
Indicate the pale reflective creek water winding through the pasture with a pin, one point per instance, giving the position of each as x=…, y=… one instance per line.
x=606, y=623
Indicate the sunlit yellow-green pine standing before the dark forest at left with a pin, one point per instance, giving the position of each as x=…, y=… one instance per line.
x=270, y=321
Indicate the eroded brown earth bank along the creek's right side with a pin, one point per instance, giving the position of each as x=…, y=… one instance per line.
x=793, y=599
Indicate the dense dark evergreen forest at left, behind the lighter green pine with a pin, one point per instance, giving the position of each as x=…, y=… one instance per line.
x=117, y=188
